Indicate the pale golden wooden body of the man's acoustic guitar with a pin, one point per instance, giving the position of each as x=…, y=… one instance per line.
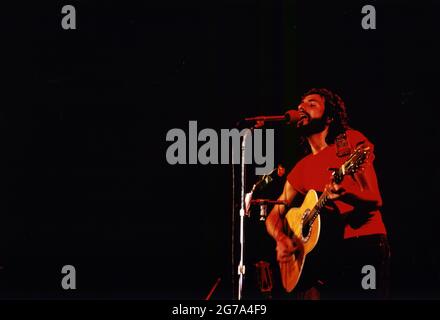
x=304, y=239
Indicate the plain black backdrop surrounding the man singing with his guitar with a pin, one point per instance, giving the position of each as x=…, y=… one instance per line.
x=84, y=116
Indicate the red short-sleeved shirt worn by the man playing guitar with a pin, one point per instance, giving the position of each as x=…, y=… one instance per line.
x=312, y=172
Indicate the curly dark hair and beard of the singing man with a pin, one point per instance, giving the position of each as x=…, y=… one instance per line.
x=334, y=109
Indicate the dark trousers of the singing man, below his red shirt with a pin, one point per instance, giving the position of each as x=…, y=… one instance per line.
x=353, y=269
